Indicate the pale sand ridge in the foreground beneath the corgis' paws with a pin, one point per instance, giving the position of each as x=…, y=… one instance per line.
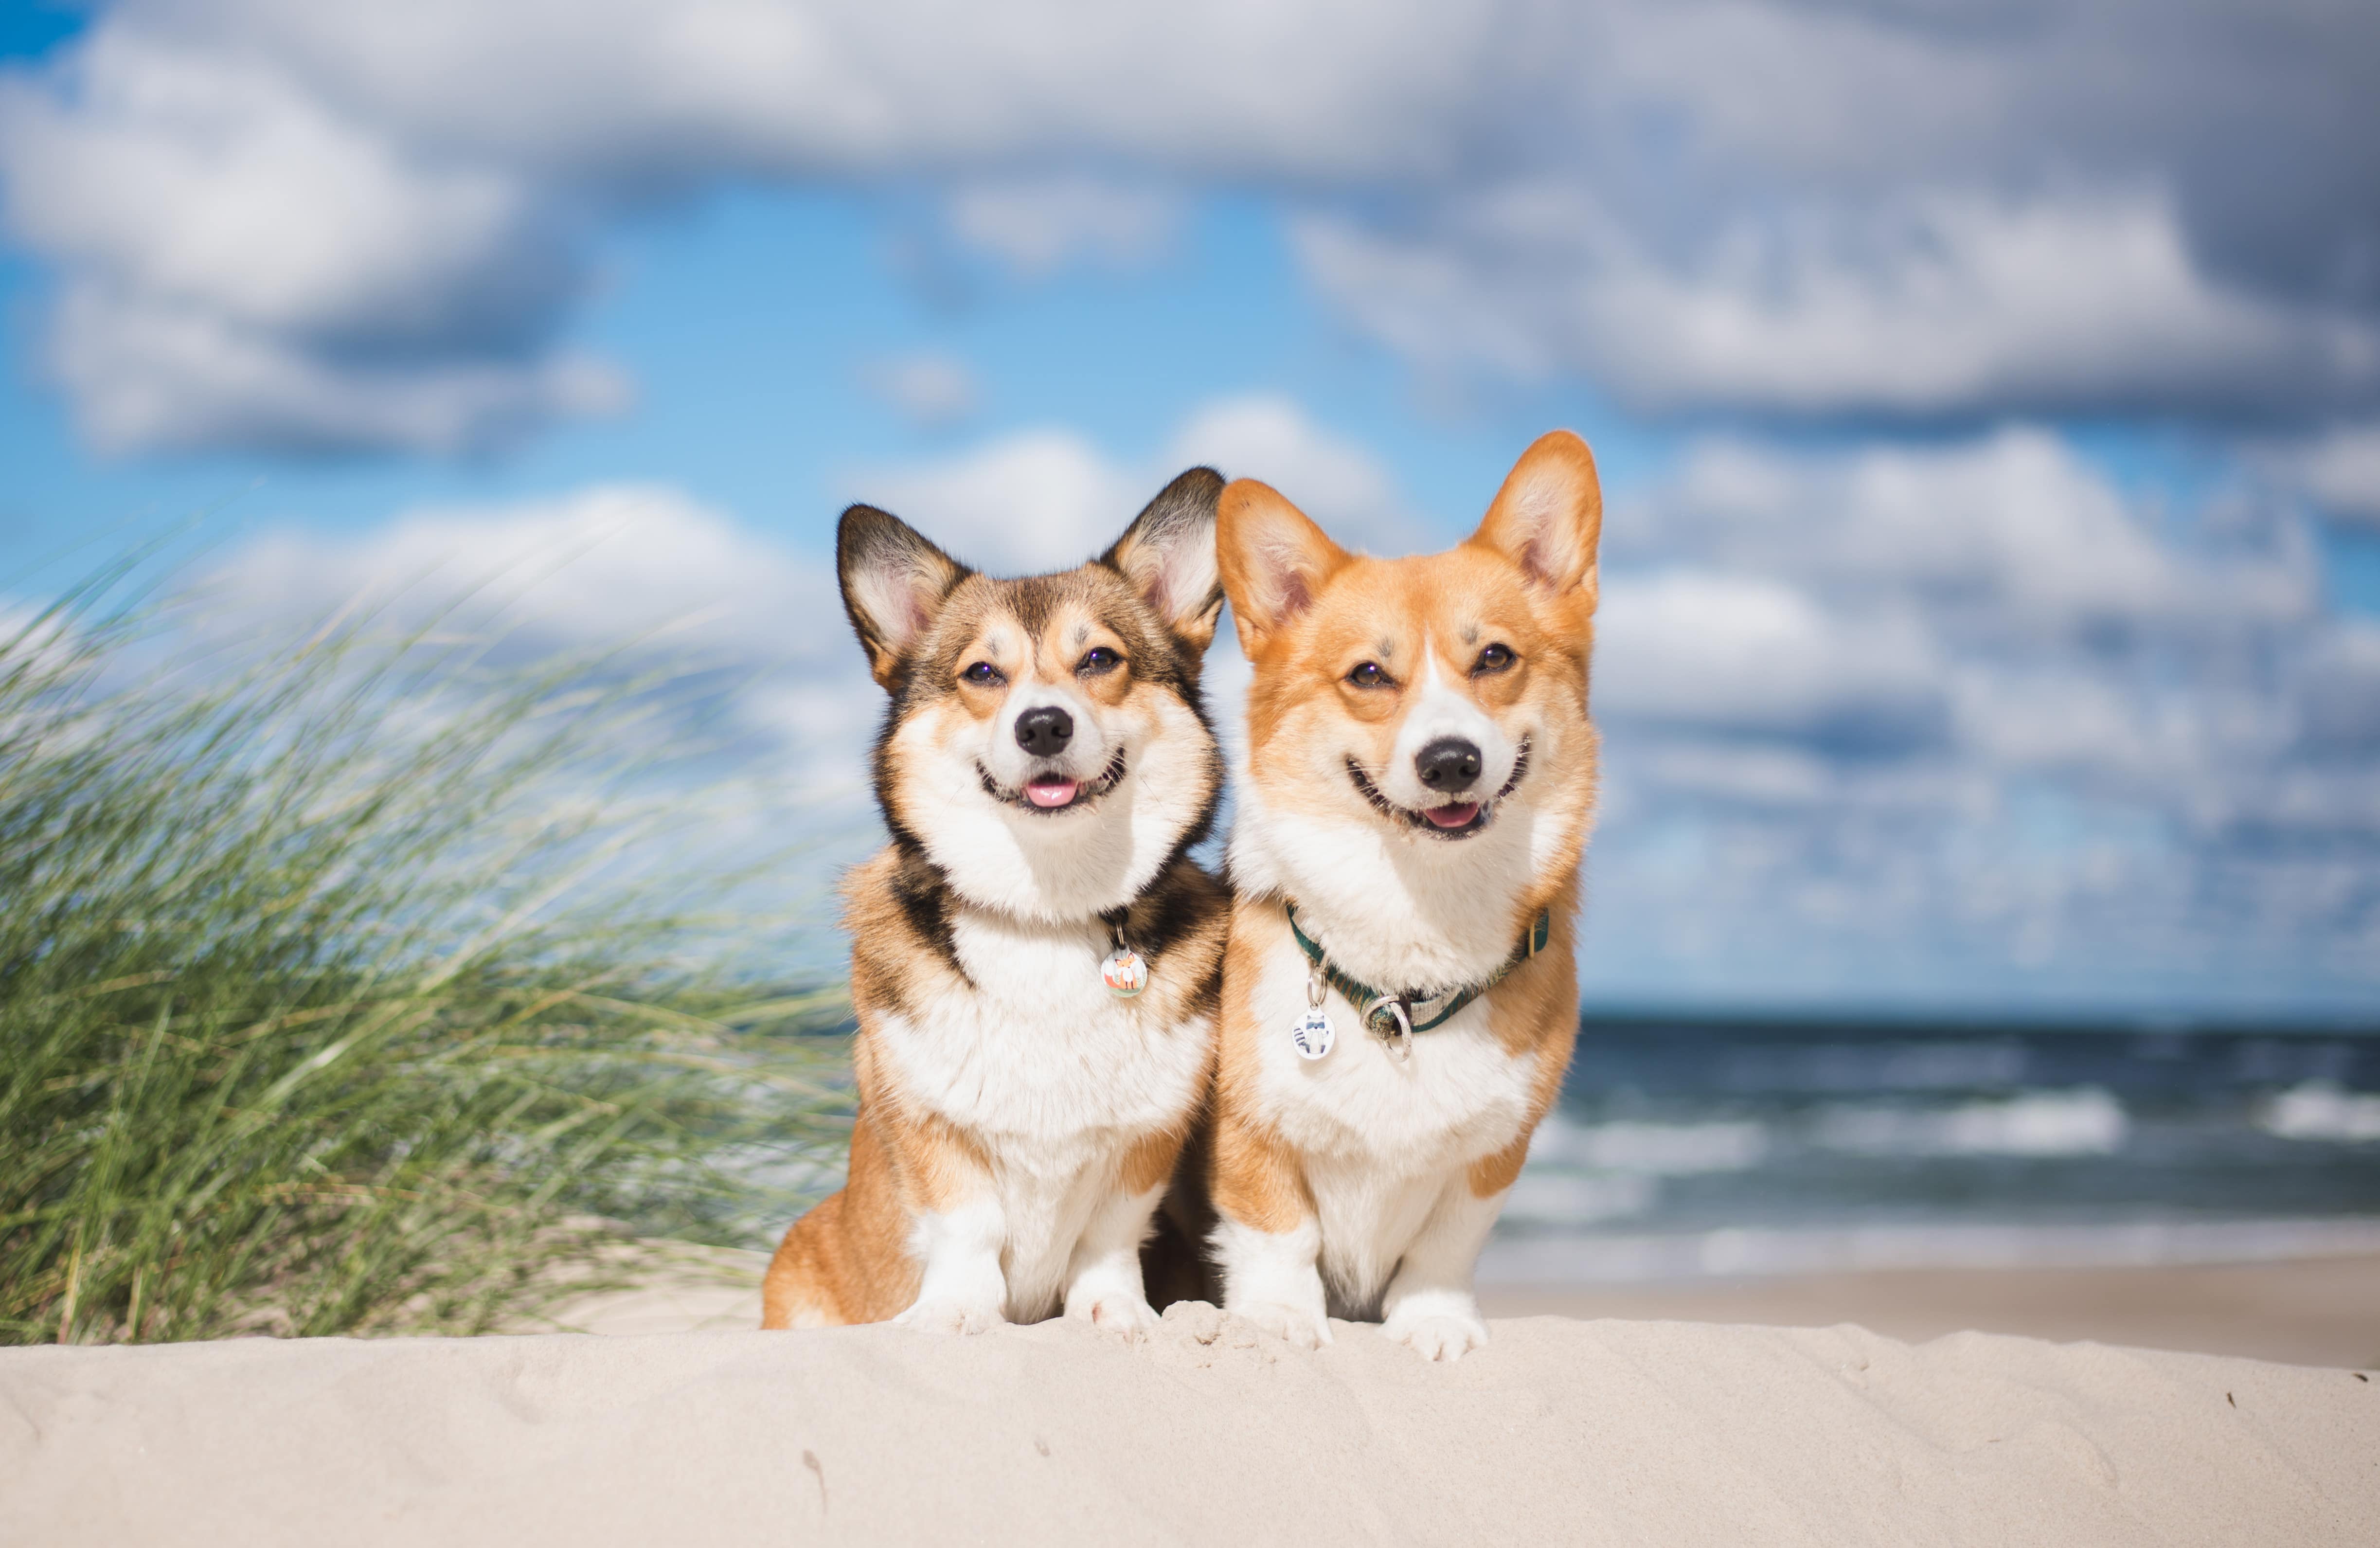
x=1577, y=1432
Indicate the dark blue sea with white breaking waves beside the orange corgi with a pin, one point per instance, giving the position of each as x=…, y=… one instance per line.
x=1689, y=1151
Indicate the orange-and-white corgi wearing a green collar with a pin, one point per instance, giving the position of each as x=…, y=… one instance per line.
x=1398, y=990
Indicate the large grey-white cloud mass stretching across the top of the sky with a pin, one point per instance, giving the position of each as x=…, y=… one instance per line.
x=1703, y=204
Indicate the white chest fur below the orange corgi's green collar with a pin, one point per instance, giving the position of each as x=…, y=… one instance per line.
x=1382, y=1137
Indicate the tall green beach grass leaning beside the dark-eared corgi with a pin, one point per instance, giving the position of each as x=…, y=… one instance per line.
x=344, y=985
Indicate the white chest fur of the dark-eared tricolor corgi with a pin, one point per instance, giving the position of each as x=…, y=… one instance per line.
x=1051, y=1075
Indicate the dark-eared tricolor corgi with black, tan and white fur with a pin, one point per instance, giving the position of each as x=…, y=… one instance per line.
x=1034, y=956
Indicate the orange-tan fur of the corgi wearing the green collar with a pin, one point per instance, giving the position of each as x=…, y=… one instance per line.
x=1308, y=616
